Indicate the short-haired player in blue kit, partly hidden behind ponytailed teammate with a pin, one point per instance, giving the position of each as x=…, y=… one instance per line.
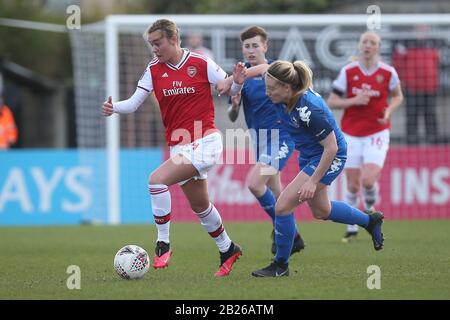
x=260, y=115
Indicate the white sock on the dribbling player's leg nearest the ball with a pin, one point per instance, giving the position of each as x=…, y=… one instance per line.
x=161, y=207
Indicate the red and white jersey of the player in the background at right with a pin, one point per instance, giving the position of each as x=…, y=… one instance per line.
x=361, y=120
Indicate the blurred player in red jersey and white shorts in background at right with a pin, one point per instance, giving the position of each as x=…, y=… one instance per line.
x=362, y=89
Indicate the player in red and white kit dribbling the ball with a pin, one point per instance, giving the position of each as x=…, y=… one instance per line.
x=181, y=81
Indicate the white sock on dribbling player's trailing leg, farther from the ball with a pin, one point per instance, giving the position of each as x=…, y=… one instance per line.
x=212, y=222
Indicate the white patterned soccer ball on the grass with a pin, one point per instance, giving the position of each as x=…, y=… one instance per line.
x=131, y=262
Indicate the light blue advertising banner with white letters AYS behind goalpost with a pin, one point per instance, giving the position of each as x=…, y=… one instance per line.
x=47, y=187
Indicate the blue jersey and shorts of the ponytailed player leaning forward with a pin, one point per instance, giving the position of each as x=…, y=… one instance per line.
x=308, y=123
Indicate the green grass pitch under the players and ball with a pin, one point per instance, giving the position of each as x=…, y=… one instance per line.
x=415, y=263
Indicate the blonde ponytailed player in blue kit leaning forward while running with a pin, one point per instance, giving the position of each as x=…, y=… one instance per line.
x=323, y=152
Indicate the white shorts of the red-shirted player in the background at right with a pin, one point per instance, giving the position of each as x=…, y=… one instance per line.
x=368, y=149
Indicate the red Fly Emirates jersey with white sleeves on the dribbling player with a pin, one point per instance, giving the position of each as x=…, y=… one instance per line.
x=184, y=95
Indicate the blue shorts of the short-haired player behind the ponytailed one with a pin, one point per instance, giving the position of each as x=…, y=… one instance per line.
x=274, y=153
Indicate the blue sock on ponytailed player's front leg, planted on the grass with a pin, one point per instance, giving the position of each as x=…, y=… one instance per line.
x=284, y=236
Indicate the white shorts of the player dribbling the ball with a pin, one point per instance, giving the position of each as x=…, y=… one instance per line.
x=203, y=153
